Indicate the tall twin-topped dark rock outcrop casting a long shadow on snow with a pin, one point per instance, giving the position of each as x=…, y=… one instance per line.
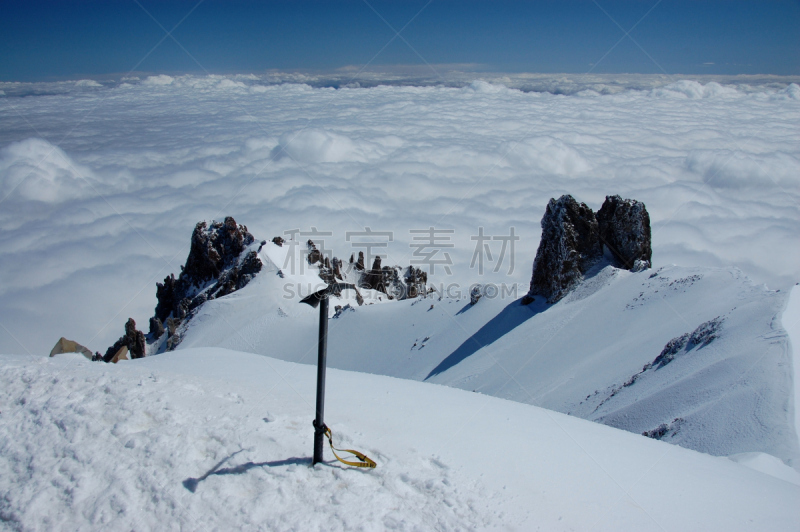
x=573, y=239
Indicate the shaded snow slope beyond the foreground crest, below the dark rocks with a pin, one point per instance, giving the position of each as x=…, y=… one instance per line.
x=724, y=387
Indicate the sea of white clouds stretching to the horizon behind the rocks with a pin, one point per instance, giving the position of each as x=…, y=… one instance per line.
x=101, y=183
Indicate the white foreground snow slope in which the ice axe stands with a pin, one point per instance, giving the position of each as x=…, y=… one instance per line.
x=218, y=440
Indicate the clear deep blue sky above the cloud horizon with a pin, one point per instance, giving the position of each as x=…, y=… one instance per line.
x=42, y=40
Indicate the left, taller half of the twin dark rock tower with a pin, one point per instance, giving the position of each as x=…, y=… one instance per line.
x=569, y=246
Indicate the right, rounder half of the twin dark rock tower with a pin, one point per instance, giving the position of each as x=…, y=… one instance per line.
x=625, y=230
